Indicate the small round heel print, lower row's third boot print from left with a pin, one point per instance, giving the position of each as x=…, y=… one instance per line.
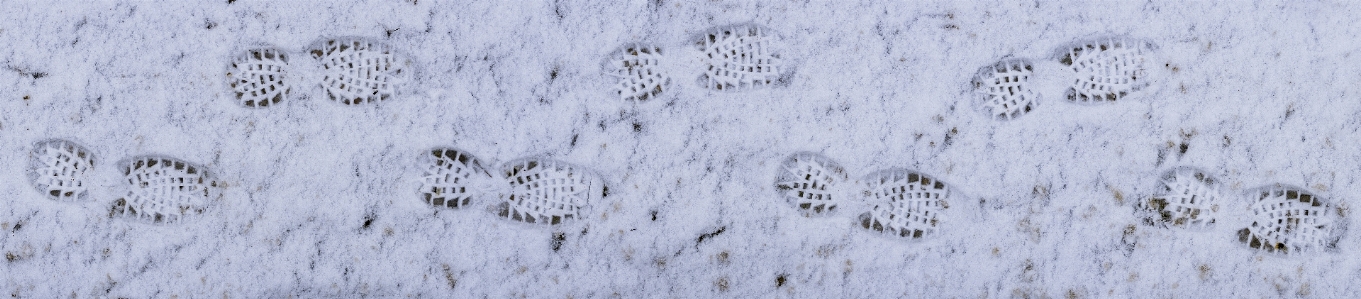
x=813, y=184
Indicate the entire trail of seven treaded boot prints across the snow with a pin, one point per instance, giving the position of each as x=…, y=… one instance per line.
x=893, y=202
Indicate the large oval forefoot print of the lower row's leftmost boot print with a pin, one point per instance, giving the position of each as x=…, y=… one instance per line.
x=164, y=190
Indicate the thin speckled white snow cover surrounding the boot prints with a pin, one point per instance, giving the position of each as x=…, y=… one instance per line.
x=323, y=199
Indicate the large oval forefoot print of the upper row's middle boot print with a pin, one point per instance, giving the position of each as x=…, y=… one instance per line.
x=741, y=58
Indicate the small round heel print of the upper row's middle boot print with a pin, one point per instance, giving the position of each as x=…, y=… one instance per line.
x=639, y=71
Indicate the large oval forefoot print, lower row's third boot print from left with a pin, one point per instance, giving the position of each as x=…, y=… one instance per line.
x=910, y=205
